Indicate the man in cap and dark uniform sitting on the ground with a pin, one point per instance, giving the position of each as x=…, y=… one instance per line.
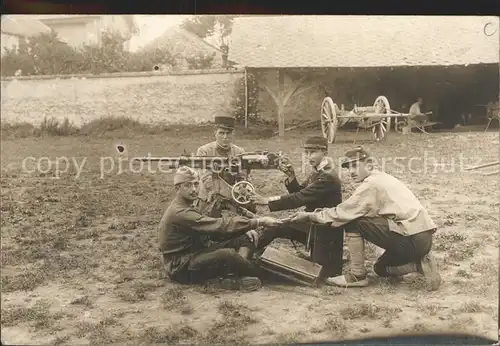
x=184, y=235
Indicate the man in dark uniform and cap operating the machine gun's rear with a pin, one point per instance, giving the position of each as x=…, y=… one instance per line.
x=322, y=189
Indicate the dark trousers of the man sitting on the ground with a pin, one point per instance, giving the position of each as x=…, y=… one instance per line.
x=218, y=260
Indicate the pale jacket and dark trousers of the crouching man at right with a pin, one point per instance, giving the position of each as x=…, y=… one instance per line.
x=383, y=211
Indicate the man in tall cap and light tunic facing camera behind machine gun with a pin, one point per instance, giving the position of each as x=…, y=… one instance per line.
x=223, y=147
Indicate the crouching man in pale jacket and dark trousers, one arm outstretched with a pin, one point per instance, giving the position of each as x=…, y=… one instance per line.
x=385, y=212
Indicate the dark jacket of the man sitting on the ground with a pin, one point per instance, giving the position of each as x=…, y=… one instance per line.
x=183, y=231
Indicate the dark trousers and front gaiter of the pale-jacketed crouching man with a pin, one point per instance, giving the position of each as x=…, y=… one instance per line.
x=399, y=249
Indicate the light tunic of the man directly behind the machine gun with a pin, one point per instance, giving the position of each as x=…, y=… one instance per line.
x=206, y=203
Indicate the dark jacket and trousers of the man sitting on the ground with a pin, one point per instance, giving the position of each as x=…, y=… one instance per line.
x=184, y=235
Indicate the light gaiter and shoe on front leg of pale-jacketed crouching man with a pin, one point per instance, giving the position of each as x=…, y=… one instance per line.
x=356, y=276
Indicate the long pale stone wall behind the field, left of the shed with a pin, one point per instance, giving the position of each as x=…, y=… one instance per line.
x=188, y=97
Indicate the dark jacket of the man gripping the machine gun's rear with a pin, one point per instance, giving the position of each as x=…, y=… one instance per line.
x=321, y=189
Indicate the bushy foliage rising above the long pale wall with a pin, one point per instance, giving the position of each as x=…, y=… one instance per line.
x=46, y=54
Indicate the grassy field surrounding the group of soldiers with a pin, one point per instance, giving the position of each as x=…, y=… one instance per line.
x=80, y=262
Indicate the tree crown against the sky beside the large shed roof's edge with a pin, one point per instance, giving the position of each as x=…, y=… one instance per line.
x=204, y=26
